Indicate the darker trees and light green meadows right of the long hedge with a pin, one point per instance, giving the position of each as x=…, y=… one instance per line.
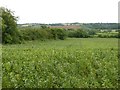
x=93, y=33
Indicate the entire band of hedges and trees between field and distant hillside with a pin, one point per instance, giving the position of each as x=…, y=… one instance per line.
x=43, y=33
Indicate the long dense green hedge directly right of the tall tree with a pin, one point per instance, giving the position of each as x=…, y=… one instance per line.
x=29, y=33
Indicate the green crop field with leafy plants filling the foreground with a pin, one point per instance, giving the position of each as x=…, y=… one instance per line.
x=74, y=62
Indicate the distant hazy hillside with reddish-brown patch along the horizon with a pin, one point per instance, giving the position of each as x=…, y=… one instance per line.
x=73, y=25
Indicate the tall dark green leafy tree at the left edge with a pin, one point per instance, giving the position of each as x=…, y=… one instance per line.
x=10, y=33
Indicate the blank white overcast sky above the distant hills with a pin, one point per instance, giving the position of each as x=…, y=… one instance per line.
x=63, y=11
